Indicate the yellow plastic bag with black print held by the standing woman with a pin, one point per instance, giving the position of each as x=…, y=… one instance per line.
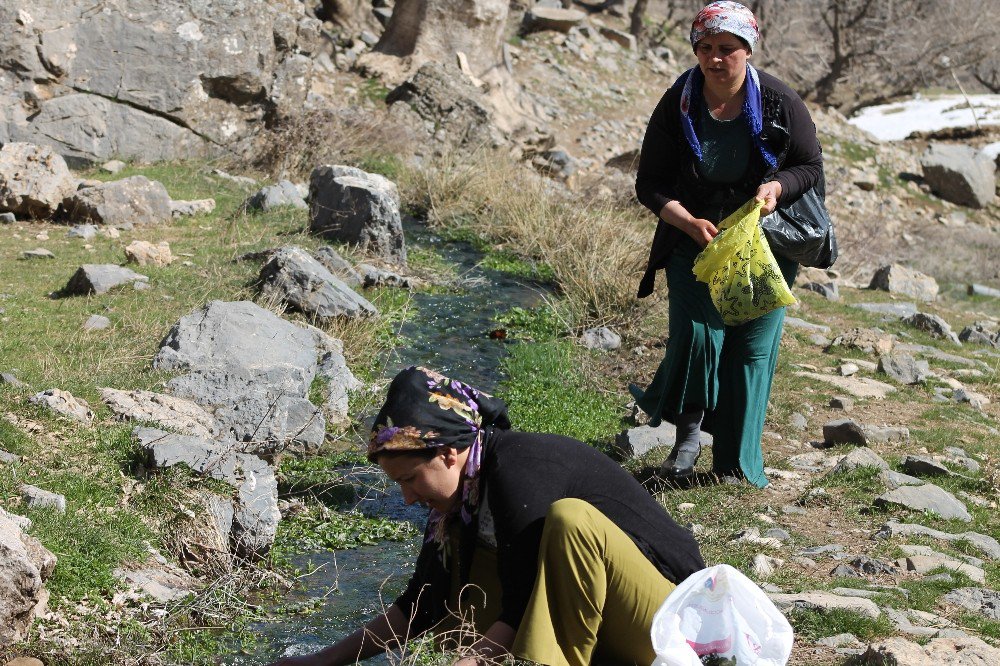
x=742, y=274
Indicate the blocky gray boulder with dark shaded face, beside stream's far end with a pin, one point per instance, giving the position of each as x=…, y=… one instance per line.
x=354, y=210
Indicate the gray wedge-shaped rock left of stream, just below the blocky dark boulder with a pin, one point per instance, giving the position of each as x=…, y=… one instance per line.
x=293, y=276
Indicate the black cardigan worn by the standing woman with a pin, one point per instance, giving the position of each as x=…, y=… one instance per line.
x=667, y=165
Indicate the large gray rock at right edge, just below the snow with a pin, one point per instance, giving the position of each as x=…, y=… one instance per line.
x=959, y=174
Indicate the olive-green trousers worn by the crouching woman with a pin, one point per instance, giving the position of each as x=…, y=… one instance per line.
x=595, y=594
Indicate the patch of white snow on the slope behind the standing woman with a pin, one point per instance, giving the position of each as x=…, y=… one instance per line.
x=891, y=122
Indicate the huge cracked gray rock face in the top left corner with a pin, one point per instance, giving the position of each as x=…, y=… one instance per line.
x=149, y=80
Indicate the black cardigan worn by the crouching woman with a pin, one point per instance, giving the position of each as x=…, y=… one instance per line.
x=524, y=474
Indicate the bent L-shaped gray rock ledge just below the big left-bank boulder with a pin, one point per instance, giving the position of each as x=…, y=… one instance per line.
x=256, y=514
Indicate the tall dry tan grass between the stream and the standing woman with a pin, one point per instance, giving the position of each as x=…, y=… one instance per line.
x=596, y=249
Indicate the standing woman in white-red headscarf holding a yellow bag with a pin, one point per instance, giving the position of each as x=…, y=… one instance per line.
x=722, y=134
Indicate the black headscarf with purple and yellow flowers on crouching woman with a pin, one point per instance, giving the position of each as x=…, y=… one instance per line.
x=424, y=410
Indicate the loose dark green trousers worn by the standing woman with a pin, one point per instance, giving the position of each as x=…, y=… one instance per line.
x=725, y=370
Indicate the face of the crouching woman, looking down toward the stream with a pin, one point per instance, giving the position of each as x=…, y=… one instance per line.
x=435, y=482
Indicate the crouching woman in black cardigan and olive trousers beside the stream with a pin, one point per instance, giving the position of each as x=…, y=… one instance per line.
x=553, y=551
